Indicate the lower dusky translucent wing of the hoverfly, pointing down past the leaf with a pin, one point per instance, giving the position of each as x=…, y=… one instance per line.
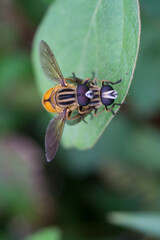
x=53, y=135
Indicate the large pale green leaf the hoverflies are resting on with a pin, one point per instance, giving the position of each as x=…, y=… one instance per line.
x=85, y=36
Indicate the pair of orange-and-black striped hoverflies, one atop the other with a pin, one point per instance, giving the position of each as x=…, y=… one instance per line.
x=81, y=96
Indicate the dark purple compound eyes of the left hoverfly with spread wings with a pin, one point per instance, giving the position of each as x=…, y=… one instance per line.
x=82, y=99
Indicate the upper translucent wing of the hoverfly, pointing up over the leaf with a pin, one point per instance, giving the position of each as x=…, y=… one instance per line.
x=49, y=64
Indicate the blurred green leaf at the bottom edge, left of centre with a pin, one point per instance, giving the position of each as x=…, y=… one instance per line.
x=53, y=233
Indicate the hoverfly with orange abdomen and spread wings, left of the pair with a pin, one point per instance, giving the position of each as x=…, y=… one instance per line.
x=62, y=99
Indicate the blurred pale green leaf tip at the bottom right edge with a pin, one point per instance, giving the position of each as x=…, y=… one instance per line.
x=147, y=223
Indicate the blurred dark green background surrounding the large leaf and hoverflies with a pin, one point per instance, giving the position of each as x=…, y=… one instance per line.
x=75, y=194
